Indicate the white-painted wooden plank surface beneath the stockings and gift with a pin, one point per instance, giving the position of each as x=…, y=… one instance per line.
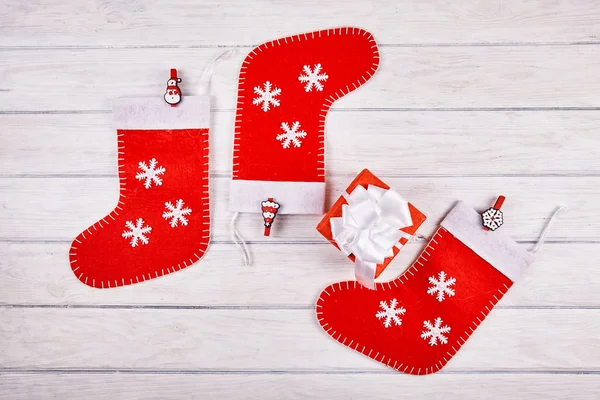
x=473, y=98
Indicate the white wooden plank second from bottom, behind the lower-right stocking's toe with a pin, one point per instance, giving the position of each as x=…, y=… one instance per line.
x=273, y=339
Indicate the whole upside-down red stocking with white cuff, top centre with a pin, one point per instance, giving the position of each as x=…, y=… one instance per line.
x=286, y=87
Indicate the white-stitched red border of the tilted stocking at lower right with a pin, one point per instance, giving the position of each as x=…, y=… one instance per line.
x=403, y=278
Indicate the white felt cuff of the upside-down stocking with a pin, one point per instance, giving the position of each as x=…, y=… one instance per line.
x=294, y=197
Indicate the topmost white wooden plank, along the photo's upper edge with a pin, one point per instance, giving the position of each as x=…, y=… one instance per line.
x=235, y=22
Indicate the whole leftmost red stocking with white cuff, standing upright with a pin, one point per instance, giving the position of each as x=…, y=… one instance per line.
x=161, y=223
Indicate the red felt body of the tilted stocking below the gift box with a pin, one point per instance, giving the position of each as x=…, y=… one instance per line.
x=347, y=311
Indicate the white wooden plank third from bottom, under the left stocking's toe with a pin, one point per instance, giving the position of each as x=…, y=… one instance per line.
x=562, y=276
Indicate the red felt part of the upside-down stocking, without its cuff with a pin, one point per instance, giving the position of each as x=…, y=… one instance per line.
x=348, y=56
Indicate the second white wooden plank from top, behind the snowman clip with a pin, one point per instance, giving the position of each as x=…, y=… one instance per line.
x=414, y=77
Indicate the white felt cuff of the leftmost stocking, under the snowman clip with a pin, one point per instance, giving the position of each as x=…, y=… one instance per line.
x=155, y=113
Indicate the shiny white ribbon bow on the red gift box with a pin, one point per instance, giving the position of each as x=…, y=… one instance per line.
x=369, y=228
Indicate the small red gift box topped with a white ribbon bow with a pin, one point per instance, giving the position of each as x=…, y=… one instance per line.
x=370, y=220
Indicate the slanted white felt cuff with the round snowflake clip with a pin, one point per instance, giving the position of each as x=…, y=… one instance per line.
x=503, y=253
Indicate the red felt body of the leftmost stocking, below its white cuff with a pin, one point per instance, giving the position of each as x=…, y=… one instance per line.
x=101, y=257
